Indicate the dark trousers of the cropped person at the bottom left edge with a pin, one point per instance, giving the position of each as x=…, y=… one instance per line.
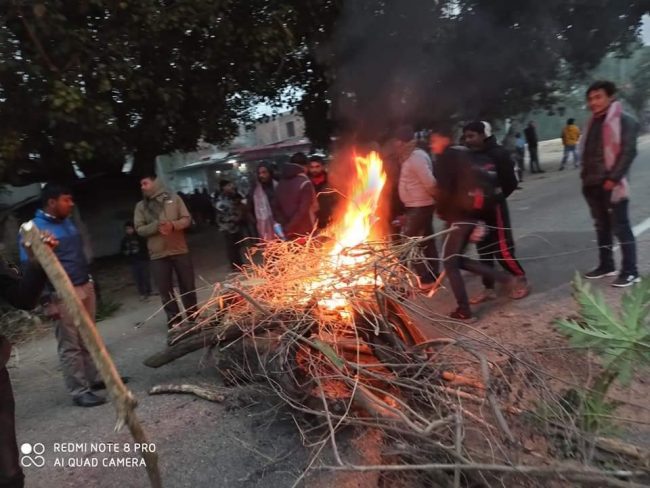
x=11, y=475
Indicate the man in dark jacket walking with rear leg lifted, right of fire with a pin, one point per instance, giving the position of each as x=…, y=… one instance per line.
x=464, y=195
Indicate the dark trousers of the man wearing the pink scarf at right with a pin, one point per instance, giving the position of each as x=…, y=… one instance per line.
x=612, y=218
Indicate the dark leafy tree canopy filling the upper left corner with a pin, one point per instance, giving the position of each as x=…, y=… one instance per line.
x=89, y=82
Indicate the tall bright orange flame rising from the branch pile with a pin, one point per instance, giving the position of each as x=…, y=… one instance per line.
x=353, y=229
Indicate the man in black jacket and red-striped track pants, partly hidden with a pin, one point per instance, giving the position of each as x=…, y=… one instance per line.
x=498, y=243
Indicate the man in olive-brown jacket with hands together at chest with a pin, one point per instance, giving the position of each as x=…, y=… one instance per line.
x=162, y=218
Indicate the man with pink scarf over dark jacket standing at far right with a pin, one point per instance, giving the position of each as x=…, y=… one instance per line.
x=608, y=149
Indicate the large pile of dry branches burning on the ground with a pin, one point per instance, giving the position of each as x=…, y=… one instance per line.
x=454, y=411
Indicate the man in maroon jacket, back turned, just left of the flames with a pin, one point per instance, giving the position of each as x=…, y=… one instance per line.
x=295, y=202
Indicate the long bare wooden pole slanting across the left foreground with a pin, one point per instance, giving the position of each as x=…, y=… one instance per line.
x=121, y=397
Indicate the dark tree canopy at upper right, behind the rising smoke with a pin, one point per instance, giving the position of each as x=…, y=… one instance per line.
x=391, y=62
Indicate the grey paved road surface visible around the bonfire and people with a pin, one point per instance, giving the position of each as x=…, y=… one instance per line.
x=203, y=444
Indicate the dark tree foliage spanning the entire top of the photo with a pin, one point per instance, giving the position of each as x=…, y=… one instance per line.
x=91, y=81
